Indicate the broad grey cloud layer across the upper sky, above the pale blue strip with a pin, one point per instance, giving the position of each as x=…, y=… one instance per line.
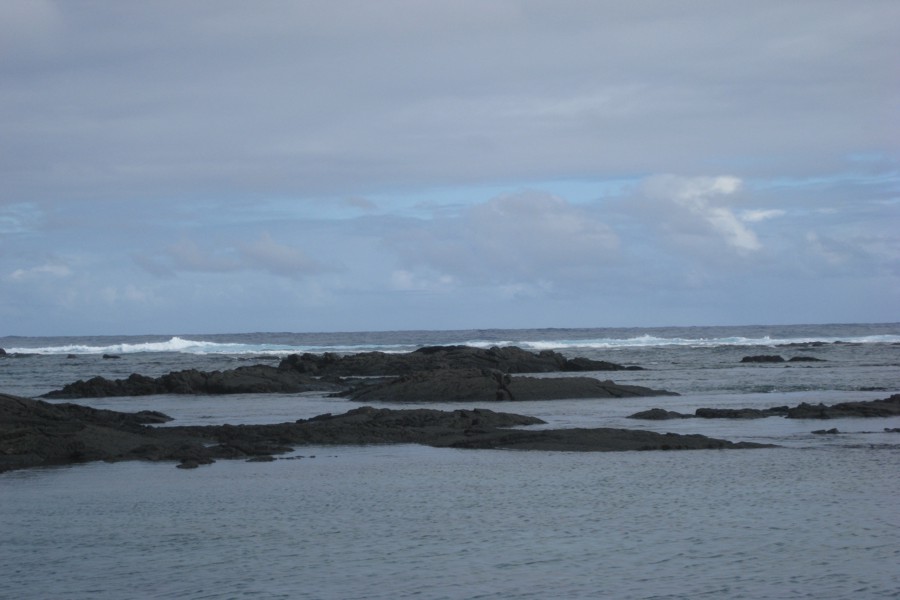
x=175, y=98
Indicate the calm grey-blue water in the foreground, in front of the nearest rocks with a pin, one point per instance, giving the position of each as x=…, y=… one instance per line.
x=413, y=522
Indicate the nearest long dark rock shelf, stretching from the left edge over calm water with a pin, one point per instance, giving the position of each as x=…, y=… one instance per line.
x=36, y=433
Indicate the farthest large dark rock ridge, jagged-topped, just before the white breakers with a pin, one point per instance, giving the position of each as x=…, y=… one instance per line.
x=506, y=359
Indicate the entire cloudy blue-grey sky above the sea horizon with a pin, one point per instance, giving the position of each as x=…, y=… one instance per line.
x=216, y=166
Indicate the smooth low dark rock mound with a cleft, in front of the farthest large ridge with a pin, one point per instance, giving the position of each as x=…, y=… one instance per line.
x=476, y=385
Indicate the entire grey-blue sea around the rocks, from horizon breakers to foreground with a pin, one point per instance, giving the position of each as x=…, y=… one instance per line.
x=816, y=517
